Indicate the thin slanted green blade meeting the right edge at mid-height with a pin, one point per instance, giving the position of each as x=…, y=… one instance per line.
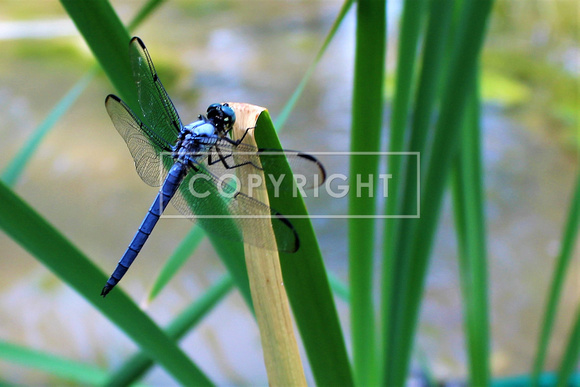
x=562, y=267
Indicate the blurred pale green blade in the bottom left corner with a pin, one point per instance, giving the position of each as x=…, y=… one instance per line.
x=65, y=368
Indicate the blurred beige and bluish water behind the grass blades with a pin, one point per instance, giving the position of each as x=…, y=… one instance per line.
x=83, y=180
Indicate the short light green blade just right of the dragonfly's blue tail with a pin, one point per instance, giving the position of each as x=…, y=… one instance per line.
x=177, y=259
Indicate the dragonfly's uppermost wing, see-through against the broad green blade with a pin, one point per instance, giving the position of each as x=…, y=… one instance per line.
x=156, y=106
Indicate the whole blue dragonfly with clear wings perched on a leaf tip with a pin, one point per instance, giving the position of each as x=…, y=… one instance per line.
x=189, y=163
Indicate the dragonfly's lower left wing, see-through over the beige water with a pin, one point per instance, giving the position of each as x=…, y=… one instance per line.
x=145, y=146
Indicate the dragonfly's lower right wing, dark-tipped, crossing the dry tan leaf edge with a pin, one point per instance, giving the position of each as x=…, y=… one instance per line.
x=228, y=213
